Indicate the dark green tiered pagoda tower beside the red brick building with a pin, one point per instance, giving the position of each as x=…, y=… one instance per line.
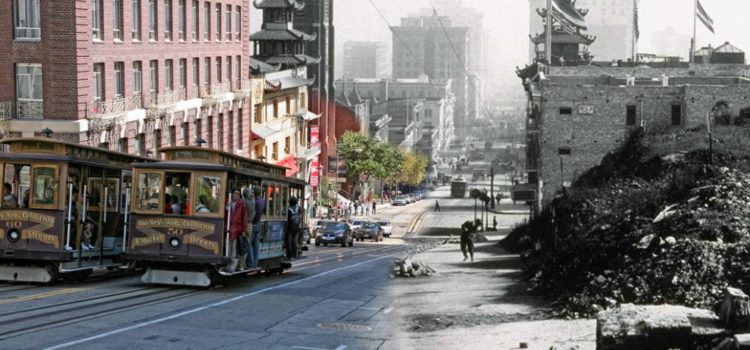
x=278, y=46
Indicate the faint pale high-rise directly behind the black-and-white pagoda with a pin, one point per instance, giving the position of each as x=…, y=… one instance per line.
x=612, y=22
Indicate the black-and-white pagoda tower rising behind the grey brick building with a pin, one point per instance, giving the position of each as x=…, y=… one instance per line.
x=569, y=42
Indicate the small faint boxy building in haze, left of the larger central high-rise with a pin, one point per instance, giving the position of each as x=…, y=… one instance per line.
x=365, y=60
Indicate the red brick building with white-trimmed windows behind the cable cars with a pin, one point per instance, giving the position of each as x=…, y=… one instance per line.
x=130, y=75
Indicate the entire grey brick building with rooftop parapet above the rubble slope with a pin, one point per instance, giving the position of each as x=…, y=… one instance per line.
x=577, y=115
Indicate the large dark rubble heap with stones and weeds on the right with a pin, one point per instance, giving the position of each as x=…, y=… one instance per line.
x=666, y=229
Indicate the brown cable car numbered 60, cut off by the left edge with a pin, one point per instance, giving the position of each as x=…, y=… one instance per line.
x=64, y=209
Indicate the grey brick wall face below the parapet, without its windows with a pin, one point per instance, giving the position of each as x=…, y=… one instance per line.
x=591, y=136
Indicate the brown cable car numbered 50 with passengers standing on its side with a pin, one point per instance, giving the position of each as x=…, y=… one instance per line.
x=181, y=215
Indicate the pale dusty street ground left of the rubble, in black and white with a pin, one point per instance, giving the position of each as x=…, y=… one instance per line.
x=478, y=305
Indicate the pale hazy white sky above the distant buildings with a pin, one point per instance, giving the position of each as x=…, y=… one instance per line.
x=506, y=25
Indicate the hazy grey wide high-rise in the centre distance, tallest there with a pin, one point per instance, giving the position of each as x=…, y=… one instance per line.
x=421, y=47
